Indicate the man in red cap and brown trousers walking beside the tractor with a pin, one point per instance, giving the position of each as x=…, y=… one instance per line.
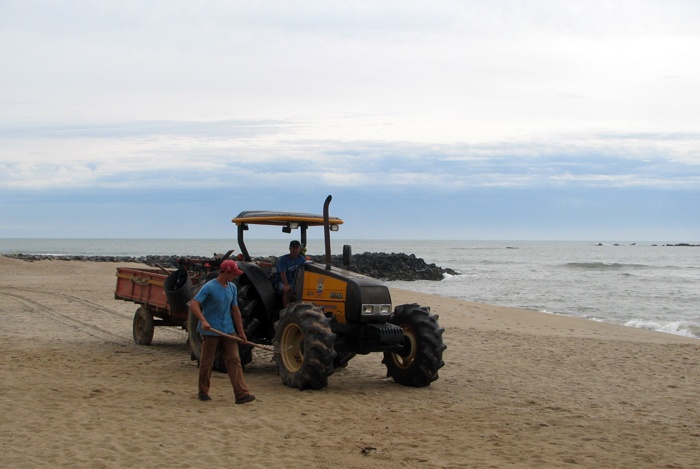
x=216, y=307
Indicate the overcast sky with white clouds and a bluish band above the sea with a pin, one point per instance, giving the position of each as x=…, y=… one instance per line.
x=439, y=119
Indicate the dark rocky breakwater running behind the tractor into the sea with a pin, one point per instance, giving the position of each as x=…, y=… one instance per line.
x=383, y=266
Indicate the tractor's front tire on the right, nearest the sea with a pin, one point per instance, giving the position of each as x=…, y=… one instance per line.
x=418, y=364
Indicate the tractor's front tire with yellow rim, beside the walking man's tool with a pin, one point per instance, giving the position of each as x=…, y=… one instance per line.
x=305, y=341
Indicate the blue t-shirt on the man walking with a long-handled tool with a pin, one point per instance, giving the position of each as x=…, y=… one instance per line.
x=217, y=302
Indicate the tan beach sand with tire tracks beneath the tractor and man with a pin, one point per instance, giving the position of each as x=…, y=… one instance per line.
x=519, y=389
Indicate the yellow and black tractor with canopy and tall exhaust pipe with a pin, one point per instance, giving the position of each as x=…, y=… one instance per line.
x=333, y=314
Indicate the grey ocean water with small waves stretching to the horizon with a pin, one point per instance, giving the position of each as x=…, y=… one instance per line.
x=646, y=285
